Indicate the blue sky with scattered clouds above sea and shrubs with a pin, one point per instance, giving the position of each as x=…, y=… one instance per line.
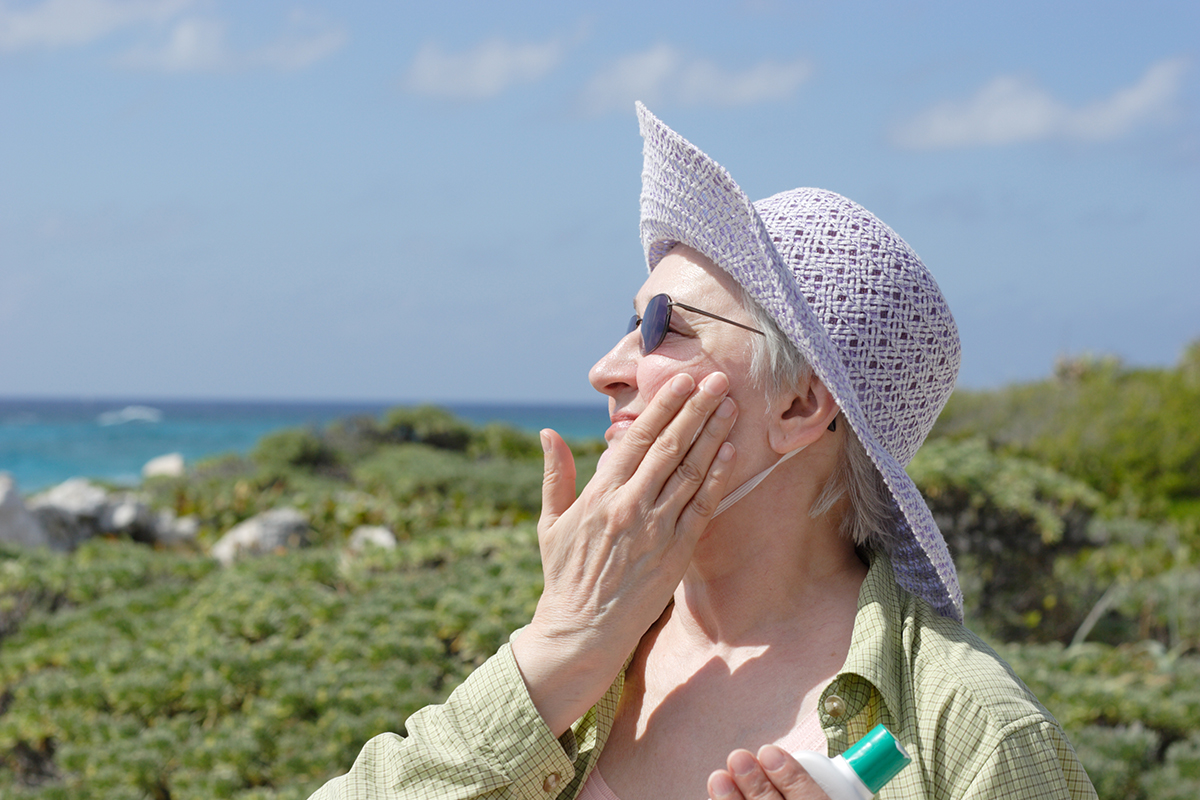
x=400, y=202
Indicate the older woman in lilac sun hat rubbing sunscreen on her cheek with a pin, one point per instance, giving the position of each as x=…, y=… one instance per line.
x=688, y=639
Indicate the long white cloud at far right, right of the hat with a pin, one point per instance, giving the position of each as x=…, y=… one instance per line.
x=1011, y=110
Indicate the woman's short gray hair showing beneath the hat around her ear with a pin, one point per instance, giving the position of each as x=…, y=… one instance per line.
x=778, y=366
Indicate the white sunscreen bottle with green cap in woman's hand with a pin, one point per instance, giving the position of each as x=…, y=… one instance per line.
x=862, y=771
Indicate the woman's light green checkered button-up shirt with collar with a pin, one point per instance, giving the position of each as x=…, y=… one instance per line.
x=973, y=727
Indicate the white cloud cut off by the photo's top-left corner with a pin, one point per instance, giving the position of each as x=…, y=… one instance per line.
x=61, y=23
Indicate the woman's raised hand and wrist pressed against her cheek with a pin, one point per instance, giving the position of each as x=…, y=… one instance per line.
x=614, y=557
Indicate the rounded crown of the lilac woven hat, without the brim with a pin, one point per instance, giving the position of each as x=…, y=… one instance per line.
x=884, y=312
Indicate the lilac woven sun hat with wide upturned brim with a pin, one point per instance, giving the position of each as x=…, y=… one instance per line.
x=853, y=297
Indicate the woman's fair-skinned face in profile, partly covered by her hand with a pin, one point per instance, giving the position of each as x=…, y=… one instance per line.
x=695, y=345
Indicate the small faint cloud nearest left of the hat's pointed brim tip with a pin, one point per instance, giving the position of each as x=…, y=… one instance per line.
x=482, y=73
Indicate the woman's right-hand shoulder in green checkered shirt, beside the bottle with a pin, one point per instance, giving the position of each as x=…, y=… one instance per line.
x=964, y=711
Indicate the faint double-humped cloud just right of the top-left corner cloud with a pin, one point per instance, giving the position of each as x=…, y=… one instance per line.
x=199, y=45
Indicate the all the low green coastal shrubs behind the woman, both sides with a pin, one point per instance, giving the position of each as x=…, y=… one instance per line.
x=127, y=671
